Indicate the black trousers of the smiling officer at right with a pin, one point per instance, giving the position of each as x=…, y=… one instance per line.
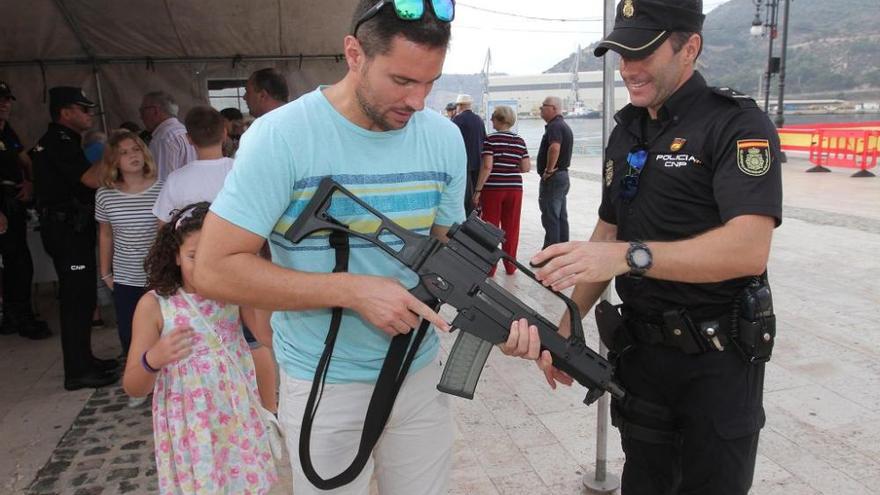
x=716, y=404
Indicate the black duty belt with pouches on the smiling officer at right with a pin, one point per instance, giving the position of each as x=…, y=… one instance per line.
x=680, y=331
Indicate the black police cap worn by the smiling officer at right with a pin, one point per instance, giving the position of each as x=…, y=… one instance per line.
x=643, y=25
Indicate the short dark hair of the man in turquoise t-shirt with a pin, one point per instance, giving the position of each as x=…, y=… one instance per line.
x=375, y=34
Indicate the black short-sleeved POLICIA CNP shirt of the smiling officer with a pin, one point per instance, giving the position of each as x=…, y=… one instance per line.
x=712, y=157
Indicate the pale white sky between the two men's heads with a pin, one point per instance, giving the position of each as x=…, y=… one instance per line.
x=521, y=40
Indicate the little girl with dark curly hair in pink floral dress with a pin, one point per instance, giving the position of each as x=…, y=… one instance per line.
x=190, y=351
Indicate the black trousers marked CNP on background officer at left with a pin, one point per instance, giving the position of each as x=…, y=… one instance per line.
x=73, y=255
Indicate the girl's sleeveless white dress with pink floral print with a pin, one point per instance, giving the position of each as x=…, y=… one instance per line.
x=209, y=437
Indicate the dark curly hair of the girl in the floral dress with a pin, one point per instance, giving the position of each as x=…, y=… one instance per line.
x=163, y=272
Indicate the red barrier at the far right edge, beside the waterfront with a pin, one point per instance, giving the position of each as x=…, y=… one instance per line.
x=845, y=148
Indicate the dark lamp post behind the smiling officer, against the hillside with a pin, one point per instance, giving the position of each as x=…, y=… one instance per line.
x=769, y=26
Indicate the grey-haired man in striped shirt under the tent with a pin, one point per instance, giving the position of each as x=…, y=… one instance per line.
x=169, y=146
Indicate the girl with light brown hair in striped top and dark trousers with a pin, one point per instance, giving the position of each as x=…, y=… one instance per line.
x=126, y=225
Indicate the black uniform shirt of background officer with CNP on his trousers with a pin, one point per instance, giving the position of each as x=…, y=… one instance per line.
x=59, y=163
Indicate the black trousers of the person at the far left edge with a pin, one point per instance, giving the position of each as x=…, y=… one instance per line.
x=18, y=267
